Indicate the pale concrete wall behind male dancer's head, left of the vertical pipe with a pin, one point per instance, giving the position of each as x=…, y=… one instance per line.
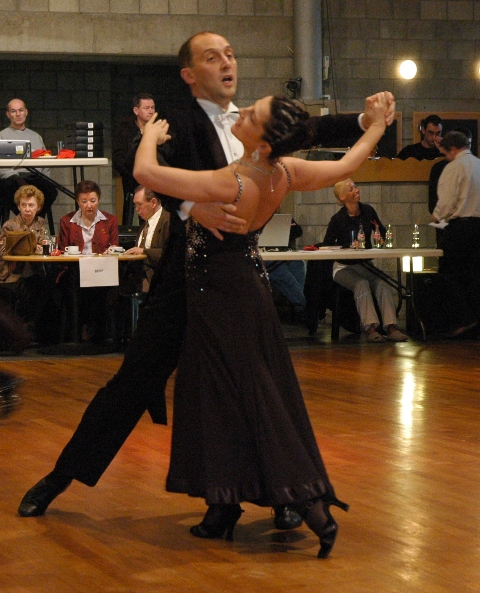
x=260, y=32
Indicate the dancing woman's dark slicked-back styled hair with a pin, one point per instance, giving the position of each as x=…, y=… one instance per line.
x=286, y=130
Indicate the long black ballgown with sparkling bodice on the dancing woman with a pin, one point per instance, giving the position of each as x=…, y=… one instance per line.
x=240, y=427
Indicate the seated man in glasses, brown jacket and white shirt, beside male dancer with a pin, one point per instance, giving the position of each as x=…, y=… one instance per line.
x=151, y=238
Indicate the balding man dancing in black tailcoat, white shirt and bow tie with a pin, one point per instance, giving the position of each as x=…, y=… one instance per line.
x=209, y=67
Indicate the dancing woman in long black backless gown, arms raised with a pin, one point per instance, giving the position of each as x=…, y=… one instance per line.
x=241, y=431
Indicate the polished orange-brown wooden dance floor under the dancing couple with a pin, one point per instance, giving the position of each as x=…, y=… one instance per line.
x=398, y=426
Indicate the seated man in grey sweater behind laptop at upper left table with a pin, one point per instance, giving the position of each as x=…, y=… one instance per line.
x=17, y=113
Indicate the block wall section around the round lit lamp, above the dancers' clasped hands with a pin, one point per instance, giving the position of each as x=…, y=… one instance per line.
x=368, y=39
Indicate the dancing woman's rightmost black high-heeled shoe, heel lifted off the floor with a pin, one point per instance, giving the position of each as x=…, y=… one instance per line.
x=316, y=514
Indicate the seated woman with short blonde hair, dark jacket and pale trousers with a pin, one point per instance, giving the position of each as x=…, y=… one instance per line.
x=352, y=274
